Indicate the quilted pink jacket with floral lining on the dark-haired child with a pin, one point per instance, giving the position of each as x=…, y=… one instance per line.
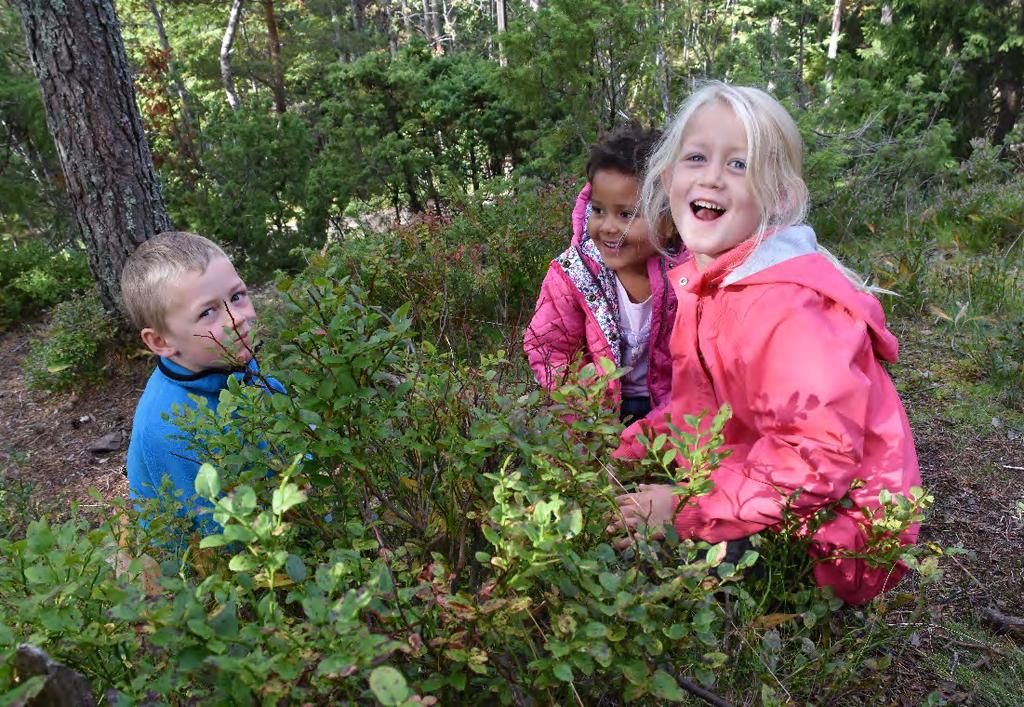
x=576, y=314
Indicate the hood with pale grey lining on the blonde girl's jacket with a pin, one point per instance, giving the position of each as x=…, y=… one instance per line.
x=792, y=256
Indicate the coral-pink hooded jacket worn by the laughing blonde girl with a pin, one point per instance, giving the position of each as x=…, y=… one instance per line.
x=795, y=349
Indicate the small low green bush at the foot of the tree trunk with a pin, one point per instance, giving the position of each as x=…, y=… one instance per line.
x=70, y=351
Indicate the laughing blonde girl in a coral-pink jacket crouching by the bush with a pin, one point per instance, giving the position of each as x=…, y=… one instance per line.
x=772, y=324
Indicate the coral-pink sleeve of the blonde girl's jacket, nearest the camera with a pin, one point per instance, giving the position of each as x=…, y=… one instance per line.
x=805, y=373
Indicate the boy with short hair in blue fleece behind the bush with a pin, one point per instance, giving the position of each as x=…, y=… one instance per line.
x=194, y=312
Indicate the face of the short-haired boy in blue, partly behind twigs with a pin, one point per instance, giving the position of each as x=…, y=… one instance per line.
x=199, y=324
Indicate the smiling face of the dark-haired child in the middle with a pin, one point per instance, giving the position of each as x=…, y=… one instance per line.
x=615, y=199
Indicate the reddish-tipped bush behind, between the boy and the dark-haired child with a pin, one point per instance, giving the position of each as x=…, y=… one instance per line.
x=472, y=275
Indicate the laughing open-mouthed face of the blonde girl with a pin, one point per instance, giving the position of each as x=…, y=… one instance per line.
x=710, y=193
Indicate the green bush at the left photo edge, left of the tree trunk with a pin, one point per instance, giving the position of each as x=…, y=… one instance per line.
x=34, y=277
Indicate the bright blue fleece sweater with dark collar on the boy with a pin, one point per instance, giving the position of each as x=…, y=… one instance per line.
x=157, y=448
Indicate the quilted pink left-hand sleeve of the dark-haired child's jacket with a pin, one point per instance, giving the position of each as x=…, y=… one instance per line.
x=558, y=332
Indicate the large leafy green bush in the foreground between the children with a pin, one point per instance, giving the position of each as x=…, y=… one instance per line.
x=416, y=529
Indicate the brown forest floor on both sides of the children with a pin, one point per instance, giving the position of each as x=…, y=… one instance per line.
x=972, y=462
